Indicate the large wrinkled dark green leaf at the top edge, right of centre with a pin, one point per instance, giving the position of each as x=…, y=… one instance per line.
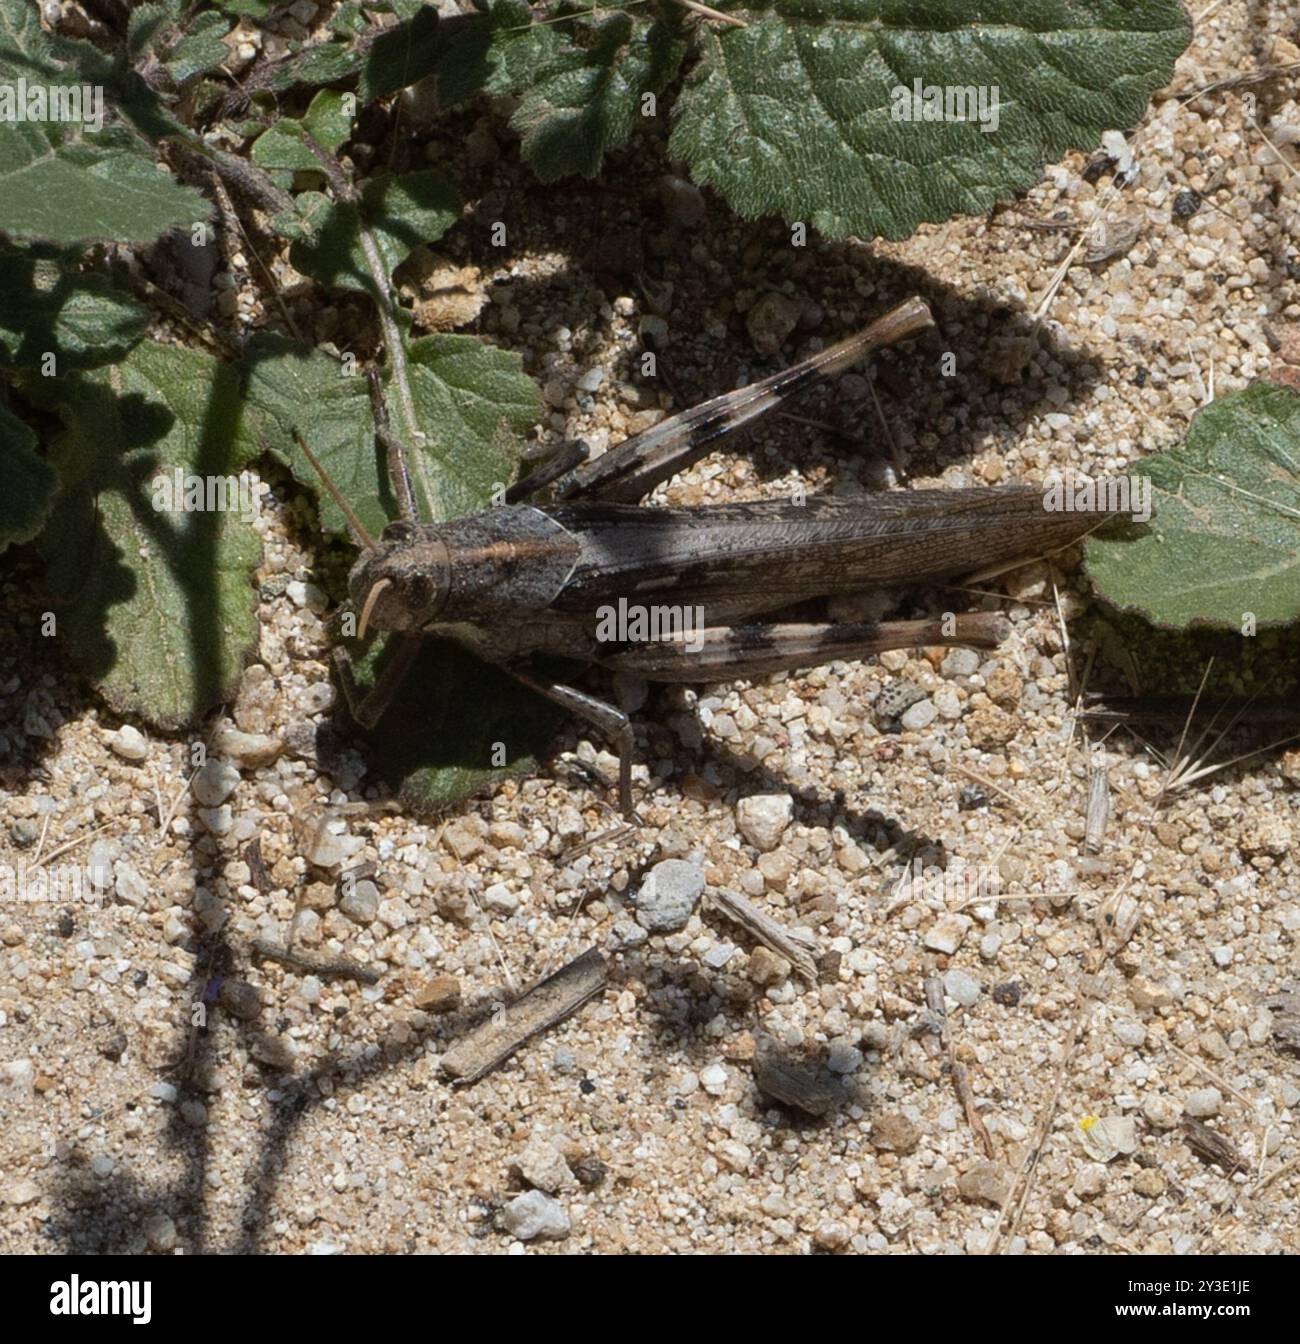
x=794, y=115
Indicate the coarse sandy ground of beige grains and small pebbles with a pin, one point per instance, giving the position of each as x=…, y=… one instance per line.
x=321, y=1119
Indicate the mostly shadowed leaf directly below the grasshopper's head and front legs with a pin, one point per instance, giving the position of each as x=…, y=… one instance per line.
x=450, y=721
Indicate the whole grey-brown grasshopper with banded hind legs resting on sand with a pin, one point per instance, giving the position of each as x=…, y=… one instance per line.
x=528, y=579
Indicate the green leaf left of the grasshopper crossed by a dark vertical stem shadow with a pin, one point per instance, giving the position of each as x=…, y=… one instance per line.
x=158, y=605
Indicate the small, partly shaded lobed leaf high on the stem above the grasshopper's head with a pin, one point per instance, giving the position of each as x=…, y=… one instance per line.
x=403, y=212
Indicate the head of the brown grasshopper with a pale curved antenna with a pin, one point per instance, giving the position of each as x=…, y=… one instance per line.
x=404, y=583
